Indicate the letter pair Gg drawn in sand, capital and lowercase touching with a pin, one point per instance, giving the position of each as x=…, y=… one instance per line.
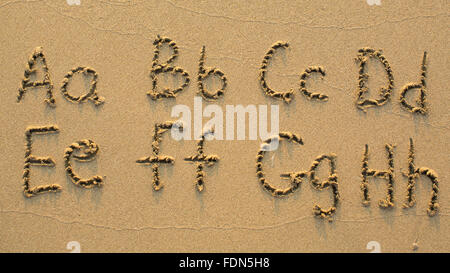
x=296, y=178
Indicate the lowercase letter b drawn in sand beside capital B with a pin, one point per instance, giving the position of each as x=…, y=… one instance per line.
x=204, y=73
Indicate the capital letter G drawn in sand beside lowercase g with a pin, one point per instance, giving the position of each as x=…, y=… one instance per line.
x=296, y=178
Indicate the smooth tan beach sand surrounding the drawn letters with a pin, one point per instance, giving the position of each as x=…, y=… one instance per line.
x=234, y=212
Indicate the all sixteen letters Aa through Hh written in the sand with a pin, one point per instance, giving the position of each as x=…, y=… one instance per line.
x=86, y=149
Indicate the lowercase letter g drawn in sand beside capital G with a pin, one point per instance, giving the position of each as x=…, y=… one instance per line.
x=332, y=181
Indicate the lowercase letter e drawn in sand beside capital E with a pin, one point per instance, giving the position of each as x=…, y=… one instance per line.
x=87, y=151
